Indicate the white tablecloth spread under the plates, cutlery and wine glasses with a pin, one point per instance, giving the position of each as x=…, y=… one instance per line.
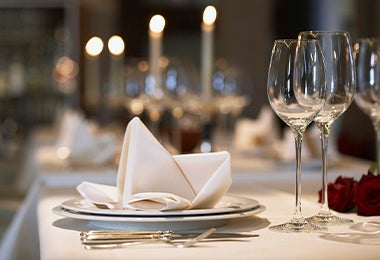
x=270, y=184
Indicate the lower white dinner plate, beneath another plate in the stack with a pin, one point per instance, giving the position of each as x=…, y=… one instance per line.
x=174, y=223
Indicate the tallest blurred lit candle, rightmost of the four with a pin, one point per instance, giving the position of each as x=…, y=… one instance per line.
x=207, y=51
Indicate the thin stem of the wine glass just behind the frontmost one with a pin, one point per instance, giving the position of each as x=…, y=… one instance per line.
x=324, y=144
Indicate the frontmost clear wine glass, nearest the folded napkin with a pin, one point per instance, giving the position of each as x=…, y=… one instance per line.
x=296, y=92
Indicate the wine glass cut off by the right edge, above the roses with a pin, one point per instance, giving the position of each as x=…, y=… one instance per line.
x=367, y=55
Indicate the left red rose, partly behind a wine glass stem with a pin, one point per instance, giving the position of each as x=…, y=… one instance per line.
x=340, y=194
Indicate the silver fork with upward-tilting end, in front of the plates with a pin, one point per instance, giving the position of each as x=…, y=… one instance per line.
x=165, y=239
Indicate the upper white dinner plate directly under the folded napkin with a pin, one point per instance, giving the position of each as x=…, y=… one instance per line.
x=228, y=204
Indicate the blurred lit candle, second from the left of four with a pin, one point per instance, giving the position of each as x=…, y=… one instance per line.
x=116, y=48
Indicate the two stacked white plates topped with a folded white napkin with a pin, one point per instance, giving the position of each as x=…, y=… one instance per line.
x=142, y=198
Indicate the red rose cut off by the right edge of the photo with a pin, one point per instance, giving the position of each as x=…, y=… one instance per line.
x=367, y=196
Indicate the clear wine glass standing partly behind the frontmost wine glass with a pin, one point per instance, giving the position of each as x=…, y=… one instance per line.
x=341, y=81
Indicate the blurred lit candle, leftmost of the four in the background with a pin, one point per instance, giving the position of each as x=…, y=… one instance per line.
x=92, y=70
